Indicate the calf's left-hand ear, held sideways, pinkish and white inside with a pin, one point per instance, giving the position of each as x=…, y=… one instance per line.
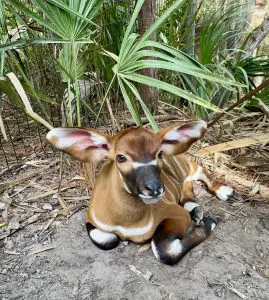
x=87, y=145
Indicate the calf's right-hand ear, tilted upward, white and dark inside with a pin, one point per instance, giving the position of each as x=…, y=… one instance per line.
x=178, y=139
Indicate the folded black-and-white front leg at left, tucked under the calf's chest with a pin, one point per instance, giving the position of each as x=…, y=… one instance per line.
x=101, y=239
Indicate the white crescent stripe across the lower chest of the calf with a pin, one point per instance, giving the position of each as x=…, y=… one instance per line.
x=123, y=230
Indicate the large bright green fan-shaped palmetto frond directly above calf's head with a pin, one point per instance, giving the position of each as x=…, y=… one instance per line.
x=138, y=53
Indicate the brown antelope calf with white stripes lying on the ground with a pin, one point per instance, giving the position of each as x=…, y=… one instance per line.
x=145, y=189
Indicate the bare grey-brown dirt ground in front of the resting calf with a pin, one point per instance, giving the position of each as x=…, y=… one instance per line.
x=232, y=264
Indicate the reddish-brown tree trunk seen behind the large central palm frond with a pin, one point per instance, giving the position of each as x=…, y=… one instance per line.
x=146, y=17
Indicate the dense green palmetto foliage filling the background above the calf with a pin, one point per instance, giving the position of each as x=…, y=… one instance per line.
x=99, y=38
